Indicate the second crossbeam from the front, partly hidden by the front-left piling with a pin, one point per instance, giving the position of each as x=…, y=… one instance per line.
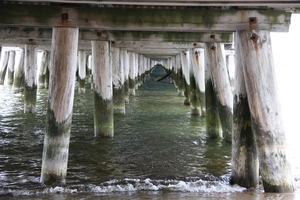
x=46, y=34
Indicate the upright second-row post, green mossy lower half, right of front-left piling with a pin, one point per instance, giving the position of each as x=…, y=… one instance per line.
x=103, y=102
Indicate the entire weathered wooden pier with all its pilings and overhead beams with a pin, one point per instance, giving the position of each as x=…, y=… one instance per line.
x=125, y=43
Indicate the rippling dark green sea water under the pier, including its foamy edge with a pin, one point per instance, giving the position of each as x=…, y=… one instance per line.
x=158, y=149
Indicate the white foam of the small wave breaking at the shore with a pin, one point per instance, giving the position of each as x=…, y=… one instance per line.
x=130, y=185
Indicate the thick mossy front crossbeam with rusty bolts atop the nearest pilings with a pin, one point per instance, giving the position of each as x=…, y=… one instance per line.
x=143, y=19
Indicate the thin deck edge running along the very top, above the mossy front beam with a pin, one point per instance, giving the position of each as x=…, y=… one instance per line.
x=255, y=3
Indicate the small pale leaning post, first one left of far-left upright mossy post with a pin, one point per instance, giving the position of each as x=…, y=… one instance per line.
x=18, y=84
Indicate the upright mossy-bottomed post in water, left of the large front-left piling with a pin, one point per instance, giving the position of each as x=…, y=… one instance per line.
x=30, y=68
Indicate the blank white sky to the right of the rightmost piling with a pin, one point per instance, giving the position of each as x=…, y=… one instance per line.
x=286, y=55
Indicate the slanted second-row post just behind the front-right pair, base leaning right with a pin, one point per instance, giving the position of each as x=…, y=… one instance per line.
x=221, y=87
